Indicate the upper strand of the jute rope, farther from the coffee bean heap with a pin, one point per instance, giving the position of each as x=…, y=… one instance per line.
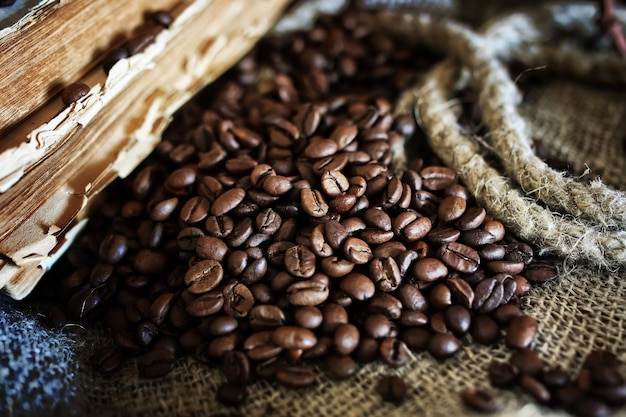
x=499, y=98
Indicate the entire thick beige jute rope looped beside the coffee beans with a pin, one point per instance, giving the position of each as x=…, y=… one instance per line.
x=581, y=221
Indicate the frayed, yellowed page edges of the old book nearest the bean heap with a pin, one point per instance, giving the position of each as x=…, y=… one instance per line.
x=132, y=112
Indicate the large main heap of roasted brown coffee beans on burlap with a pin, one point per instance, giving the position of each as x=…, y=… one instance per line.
x=270, y=227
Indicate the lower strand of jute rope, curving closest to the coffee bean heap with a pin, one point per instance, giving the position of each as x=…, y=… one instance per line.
x=553, y=232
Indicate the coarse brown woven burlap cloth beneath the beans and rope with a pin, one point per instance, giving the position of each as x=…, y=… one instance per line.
x=577, y=121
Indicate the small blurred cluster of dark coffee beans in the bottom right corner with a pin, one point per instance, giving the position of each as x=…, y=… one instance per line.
x=597, y=387
